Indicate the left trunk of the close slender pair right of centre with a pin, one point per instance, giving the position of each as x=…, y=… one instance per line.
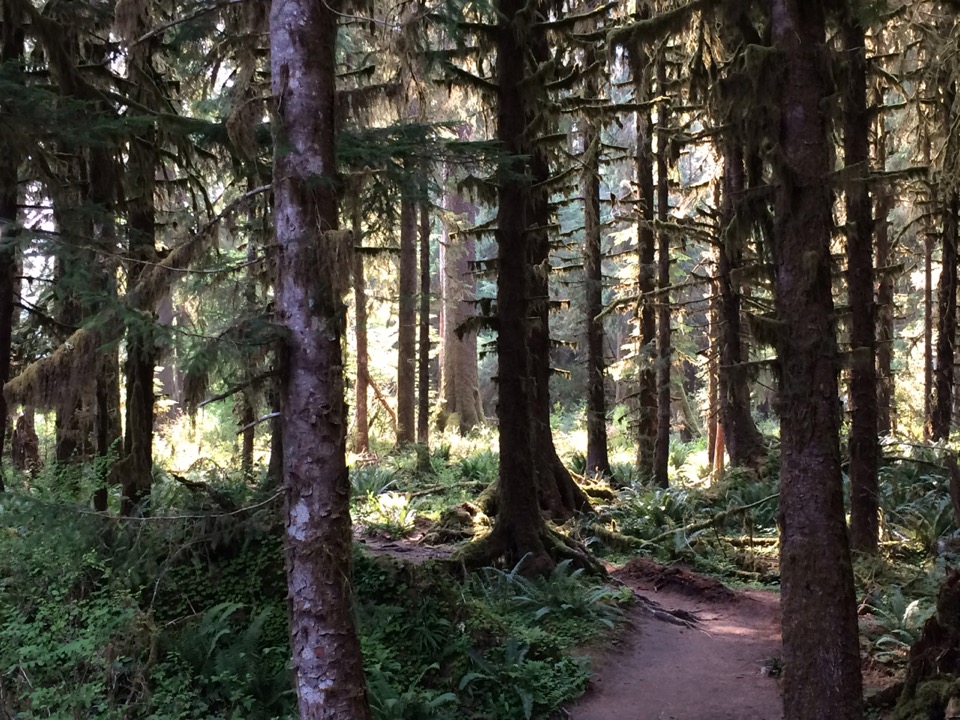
x=647, y=390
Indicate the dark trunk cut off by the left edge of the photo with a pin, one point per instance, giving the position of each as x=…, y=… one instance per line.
x=11, y=54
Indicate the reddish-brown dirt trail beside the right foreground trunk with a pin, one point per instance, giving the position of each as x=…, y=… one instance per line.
x=717, y=670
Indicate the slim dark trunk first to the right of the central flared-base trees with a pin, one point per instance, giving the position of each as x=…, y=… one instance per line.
x=598, y=461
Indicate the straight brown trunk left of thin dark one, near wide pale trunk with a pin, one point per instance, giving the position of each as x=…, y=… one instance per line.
x=407, y=330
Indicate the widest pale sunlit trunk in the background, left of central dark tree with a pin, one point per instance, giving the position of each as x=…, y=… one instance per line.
x=459, y=379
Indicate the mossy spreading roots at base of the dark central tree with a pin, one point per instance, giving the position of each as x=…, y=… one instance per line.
x=537, y=555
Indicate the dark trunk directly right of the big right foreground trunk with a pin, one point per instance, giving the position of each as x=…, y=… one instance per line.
x=864, y=447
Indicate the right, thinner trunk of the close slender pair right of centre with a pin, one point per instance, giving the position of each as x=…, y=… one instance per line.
x=661, y=454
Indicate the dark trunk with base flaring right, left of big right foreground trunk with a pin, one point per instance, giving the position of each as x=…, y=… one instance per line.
x=743, y=440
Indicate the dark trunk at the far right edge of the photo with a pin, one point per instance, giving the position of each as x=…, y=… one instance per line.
x=946, y=325
